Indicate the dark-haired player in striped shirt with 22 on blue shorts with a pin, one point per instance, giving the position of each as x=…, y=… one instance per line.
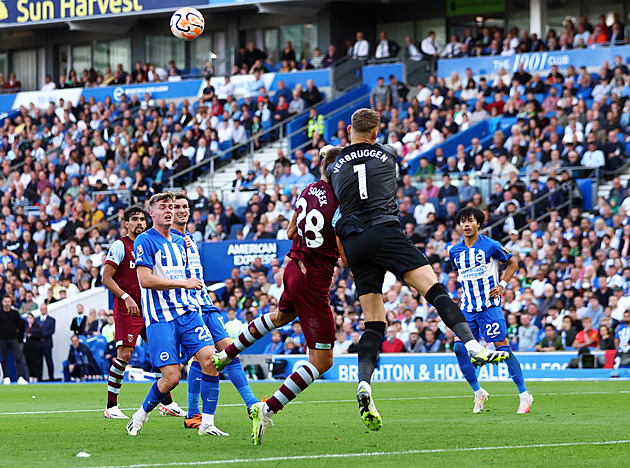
x=476, y=259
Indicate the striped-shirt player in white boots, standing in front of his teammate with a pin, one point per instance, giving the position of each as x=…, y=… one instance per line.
x=171, y=315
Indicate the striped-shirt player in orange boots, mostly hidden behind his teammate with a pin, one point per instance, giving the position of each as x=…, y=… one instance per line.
x=211, y=316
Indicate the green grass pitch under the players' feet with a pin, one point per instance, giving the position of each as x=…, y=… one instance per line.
x=424, y=424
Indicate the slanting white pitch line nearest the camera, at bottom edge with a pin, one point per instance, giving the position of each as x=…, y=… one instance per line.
x=365, y=454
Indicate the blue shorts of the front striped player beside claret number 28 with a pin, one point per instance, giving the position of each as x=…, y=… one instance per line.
x=165, y=339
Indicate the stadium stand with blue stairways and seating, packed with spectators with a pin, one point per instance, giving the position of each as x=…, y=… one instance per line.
x=545, y=156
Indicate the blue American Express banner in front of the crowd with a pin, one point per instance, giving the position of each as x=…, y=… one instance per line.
x=218, y=258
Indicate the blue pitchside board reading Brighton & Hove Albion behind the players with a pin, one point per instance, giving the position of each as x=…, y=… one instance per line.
x=444, y=368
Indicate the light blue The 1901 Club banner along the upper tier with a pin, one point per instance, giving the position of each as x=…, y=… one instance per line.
x=533, y=62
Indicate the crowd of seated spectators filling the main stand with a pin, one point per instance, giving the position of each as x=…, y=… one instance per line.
x=573, y=263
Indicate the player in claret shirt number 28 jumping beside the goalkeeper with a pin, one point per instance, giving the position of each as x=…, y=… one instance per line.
x=307, y=277
